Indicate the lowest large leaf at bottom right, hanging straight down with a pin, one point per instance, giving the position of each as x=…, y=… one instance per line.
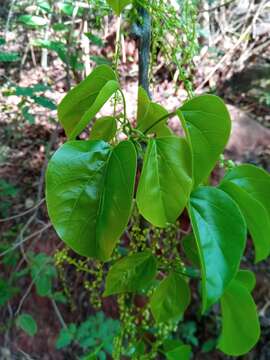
x=240, y=324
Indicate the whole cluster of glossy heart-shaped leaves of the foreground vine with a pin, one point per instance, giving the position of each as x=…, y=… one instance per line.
x=90, y=191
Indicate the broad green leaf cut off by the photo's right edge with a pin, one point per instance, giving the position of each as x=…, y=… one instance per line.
x=249, y=186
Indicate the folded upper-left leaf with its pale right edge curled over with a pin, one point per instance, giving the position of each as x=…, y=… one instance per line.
x=83, y=102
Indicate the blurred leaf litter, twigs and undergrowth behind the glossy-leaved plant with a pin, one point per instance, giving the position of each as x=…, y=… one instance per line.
x=50, y=299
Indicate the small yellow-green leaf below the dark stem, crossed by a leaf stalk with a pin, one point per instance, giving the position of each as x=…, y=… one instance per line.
x=148, y=113
